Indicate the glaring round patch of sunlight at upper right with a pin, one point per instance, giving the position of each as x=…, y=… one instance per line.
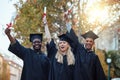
x=97, y=13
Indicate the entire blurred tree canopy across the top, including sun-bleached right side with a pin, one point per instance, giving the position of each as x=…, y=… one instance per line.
x=83, y=16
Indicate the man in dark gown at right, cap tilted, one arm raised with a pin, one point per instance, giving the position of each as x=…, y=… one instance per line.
x=87, y=66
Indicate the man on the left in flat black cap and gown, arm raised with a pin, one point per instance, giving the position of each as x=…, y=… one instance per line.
x=36, y=64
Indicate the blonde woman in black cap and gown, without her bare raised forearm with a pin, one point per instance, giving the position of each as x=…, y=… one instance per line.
x=62, y=59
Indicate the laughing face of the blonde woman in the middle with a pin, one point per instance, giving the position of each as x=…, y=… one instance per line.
x=63, y=46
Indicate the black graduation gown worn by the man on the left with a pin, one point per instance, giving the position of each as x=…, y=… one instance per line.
x=36, y=66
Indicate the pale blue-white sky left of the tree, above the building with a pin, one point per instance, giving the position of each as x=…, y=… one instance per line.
x=6, y=13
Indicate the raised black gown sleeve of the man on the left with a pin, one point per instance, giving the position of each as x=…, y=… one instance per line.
x=18, y=50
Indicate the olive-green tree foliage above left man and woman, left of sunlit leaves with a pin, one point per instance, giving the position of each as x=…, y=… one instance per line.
x=29, y=17
